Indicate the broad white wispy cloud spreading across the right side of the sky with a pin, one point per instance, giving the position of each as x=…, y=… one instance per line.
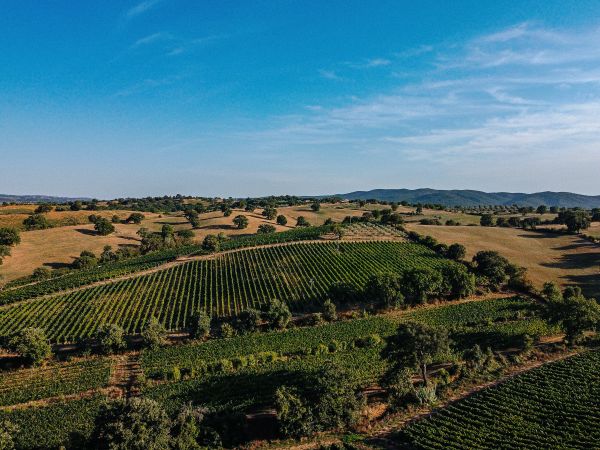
x=524, y=90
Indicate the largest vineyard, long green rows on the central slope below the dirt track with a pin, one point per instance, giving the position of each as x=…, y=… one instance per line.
x=225, y=285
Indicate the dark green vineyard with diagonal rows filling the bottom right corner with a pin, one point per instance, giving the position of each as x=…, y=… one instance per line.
x=554, y=406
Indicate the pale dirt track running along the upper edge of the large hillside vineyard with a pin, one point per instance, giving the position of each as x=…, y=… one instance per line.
x=186, y=259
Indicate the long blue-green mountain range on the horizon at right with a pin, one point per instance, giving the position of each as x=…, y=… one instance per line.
x=474, y=198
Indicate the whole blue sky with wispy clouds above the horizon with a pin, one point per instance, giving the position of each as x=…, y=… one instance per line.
x=113, y=99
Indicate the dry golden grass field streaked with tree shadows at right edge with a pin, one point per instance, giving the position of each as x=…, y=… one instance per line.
x=548, y=257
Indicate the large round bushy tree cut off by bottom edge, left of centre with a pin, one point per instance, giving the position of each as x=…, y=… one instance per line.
x=133, y=424
